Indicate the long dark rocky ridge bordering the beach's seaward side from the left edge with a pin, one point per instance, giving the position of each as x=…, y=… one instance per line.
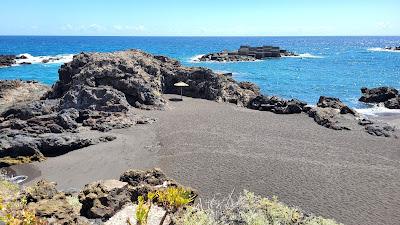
x=103, y=91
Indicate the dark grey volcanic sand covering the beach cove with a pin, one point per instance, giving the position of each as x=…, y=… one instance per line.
x=350, y=176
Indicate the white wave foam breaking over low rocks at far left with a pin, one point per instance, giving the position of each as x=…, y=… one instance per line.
x=56, y=59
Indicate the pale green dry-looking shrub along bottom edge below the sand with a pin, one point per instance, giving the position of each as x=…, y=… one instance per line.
x=249, y=209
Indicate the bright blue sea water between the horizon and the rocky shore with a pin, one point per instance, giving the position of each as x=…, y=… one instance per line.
x=332, y=66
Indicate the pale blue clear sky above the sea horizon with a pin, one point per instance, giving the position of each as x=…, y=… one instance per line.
x=200, y=17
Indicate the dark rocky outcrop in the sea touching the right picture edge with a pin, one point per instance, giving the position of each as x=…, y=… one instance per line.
x=387, y=96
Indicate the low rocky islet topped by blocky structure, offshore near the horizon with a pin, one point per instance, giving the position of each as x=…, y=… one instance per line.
x=247, y=53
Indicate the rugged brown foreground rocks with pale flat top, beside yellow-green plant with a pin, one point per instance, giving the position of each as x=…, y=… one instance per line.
x=102, y=199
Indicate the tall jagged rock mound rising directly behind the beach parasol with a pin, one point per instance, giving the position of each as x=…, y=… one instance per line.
x=139, y=79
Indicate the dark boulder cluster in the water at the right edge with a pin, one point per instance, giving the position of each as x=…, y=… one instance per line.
x=377, y=95
